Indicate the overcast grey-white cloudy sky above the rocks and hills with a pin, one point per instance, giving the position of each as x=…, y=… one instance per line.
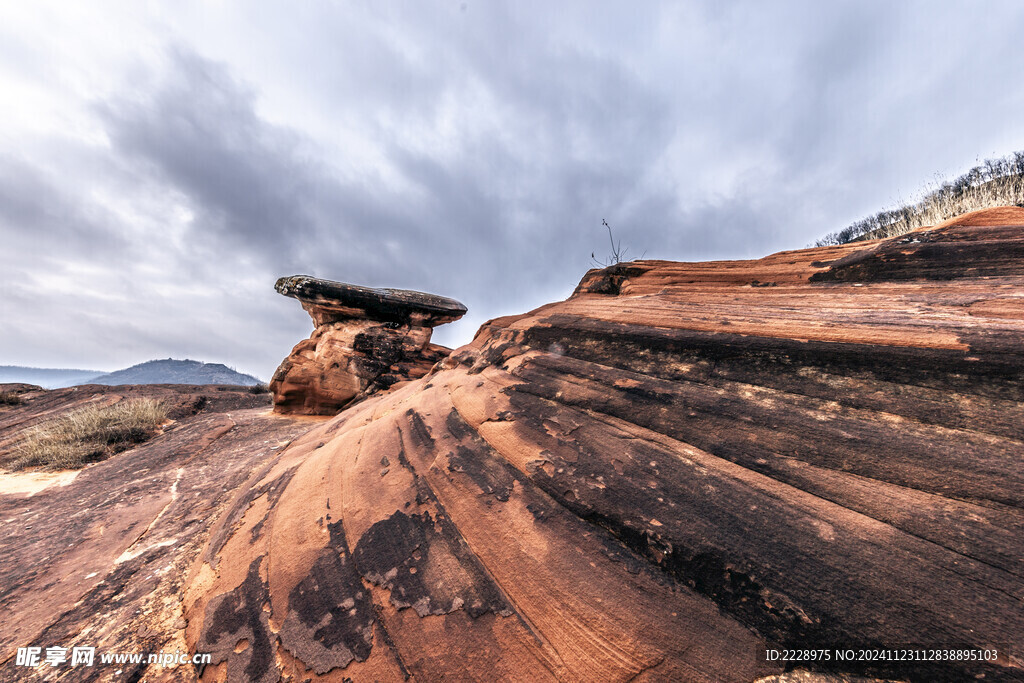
x=163, y=164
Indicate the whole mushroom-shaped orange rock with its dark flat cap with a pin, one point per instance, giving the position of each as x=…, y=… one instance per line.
x=366, y=340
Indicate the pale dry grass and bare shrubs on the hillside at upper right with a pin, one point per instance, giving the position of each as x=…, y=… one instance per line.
x=993, y=184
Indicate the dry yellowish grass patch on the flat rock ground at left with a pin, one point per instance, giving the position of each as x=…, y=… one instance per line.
x=89, y=435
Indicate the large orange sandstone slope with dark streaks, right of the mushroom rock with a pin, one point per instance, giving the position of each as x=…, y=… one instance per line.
x=678, y=466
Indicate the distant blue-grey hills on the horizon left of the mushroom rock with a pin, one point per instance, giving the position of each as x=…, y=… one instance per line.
x=167, y=371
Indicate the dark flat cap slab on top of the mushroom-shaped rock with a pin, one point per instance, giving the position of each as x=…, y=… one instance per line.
x=326, y=301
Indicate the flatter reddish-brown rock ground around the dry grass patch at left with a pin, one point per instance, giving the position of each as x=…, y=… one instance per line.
x=99, y=560
